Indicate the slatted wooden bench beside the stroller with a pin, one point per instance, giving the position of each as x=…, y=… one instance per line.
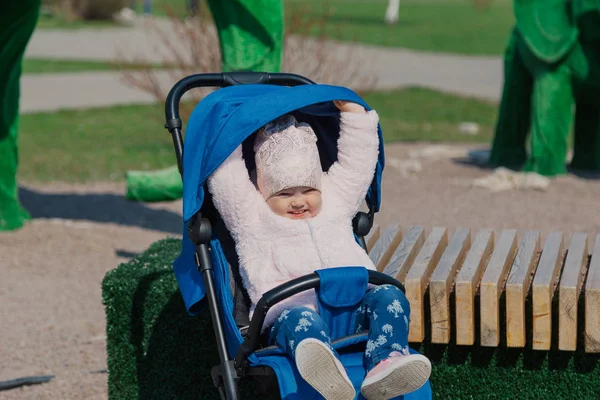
x=472, y=284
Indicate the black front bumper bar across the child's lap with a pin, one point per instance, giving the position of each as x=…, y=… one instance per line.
x=284, y=291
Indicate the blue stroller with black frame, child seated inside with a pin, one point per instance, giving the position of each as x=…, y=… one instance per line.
x=207, y=269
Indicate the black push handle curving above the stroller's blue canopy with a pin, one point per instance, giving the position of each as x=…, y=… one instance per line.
x=173, y=122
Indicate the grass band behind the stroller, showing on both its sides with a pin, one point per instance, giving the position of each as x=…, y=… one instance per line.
x=103, y=143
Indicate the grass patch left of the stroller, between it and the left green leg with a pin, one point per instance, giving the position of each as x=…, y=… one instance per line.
x=95, y=144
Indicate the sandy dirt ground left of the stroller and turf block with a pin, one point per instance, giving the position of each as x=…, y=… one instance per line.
x=50, y=294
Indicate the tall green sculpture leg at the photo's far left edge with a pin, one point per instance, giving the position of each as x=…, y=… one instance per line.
x=17, y=22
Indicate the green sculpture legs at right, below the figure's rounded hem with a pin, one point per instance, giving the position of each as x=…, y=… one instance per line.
x=537, y=102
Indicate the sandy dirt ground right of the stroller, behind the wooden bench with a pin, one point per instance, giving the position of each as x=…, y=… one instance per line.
x=440, y=196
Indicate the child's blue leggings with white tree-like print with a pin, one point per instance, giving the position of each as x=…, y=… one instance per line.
x=384, y=311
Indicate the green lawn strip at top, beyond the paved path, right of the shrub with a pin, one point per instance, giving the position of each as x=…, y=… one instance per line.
x=449, y=26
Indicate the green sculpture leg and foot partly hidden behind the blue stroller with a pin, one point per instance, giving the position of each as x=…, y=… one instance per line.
x=251, y=39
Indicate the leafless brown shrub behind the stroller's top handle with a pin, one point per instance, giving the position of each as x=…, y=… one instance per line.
x=191, y=46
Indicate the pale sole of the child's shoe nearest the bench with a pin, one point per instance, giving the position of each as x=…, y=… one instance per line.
x=404, y=378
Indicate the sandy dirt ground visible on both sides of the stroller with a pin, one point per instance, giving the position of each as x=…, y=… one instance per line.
x=50, y=295
